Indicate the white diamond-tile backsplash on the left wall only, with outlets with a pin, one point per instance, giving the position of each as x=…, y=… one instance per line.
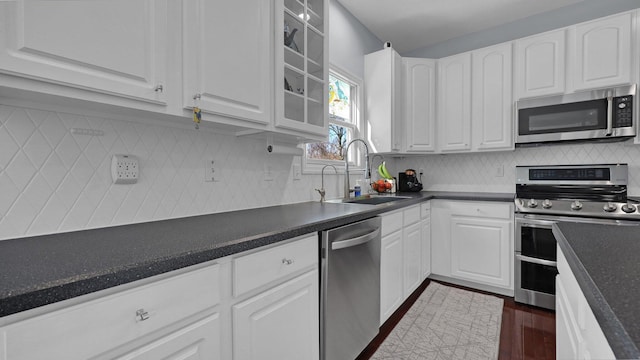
x=52, y=180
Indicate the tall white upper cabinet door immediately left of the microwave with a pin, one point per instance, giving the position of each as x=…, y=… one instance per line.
x=492, y=98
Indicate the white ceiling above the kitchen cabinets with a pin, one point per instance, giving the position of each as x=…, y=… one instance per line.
x=415, y=24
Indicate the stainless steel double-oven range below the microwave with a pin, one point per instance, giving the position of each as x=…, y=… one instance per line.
x=548, y=194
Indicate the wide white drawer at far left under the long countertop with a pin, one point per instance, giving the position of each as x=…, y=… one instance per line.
x=86, y=330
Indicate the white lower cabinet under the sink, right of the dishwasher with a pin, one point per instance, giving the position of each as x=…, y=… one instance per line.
x=400, y=258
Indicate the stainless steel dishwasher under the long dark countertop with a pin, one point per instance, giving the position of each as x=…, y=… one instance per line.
x=350, y=289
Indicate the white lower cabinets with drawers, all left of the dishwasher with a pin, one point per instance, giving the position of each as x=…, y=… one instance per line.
x=272, y=313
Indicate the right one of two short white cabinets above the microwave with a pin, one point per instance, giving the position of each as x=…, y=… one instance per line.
x=603, y=52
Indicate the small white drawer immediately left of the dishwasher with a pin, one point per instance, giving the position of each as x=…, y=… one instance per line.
x=262, y=267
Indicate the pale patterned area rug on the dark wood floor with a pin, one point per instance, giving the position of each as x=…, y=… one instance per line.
x=446, y=323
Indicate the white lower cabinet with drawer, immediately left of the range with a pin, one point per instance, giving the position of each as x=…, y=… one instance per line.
x=472, y=241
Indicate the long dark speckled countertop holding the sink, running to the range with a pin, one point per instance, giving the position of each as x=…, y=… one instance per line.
x=41, y=270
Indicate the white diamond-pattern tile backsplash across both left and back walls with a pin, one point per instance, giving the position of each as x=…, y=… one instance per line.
x=52, y=180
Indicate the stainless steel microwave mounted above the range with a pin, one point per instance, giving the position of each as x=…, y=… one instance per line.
x=604, y=114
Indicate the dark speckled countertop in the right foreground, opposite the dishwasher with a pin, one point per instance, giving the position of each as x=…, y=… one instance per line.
x=604, y=260
